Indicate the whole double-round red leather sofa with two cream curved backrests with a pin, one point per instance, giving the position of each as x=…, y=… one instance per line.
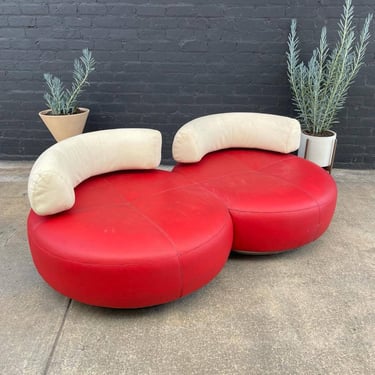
x=107, y=228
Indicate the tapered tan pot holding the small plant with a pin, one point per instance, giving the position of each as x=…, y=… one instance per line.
x=65, y=126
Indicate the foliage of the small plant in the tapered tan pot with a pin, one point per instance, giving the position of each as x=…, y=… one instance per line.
x=63, y=101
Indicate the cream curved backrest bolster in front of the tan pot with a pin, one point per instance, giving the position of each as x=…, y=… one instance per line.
x=60, y=168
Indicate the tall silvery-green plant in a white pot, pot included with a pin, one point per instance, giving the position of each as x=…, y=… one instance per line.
x=320, y=87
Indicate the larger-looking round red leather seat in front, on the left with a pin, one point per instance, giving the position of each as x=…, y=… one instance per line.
x=132, y=239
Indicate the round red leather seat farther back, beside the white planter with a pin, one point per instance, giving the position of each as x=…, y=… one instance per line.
x=277, y=201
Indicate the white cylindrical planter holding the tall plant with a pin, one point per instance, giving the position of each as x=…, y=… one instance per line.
x=319, y=150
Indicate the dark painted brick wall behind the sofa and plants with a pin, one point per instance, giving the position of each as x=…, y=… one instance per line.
x=162, y=63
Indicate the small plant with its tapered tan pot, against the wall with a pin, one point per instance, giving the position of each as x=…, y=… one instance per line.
x=64, y=118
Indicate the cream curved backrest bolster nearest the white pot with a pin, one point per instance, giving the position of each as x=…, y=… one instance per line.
x=237, y=129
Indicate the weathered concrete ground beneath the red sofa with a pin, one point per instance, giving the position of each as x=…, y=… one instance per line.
x=308, y=311
